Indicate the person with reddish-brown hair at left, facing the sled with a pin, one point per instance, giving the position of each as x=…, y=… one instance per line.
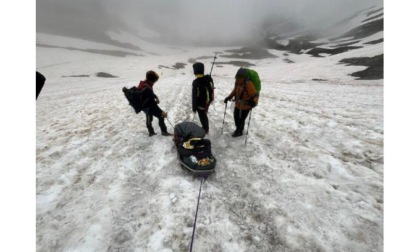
x=150, y=104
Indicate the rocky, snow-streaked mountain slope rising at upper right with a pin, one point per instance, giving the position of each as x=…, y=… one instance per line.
x=361, y=30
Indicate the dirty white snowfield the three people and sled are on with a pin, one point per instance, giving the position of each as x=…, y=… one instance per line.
x=309, y=179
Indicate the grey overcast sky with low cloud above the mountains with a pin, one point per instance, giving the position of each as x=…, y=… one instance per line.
x=186, y=20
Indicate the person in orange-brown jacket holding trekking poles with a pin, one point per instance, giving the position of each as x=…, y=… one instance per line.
x=246, y=97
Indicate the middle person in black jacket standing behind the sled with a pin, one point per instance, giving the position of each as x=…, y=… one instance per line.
x=202, y=94
